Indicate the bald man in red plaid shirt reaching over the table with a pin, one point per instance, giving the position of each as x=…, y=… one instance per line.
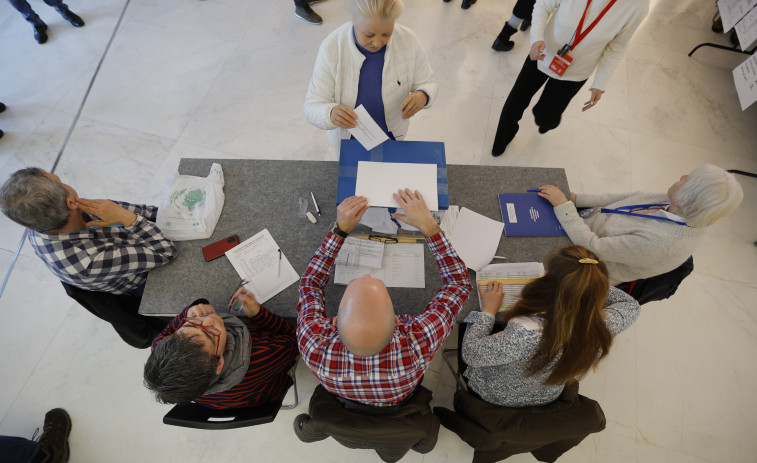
x=368, y=354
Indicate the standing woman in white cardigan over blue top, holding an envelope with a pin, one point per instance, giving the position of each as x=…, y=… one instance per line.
x=373, y=62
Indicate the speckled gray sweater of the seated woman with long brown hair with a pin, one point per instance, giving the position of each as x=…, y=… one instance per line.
x=497, y=362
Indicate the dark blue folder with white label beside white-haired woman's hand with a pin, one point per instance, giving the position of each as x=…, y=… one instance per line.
x=528, y=214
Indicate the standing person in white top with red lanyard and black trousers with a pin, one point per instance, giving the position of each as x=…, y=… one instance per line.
x=566, y=47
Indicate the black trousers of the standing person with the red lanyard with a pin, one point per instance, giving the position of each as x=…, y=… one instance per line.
x=547, y=112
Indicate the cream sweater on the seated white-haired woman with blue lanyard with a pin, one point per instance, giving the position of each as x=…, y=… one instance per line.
x=631, y=247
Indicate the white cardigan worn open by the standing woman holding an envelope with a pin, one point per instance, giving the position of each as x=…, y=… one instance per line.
x=337, y=72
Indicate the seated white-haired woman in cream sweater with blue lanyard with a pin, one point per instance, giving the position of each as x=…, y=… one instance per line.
x=642, y=235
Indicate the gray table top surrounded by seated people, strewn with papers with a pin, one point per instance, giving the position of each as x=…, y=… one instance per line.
x=264, y=194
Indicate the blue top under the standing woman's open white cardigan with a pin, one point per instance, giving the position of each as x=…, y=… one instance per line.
x=369, y=85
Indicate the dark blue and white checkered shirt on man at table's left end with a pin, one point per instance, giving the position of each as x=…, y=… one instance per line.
x=108, y=259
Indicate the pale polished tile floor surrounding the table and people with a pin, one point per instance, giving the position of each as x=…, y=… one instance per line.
x=227, y=79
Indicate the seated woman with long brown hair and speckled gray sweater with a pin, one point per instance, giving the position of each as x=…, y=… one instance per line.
x=560, y=328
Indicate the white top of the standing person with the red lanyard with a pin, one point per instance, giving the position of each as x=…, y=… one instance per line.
x=602, y=49
